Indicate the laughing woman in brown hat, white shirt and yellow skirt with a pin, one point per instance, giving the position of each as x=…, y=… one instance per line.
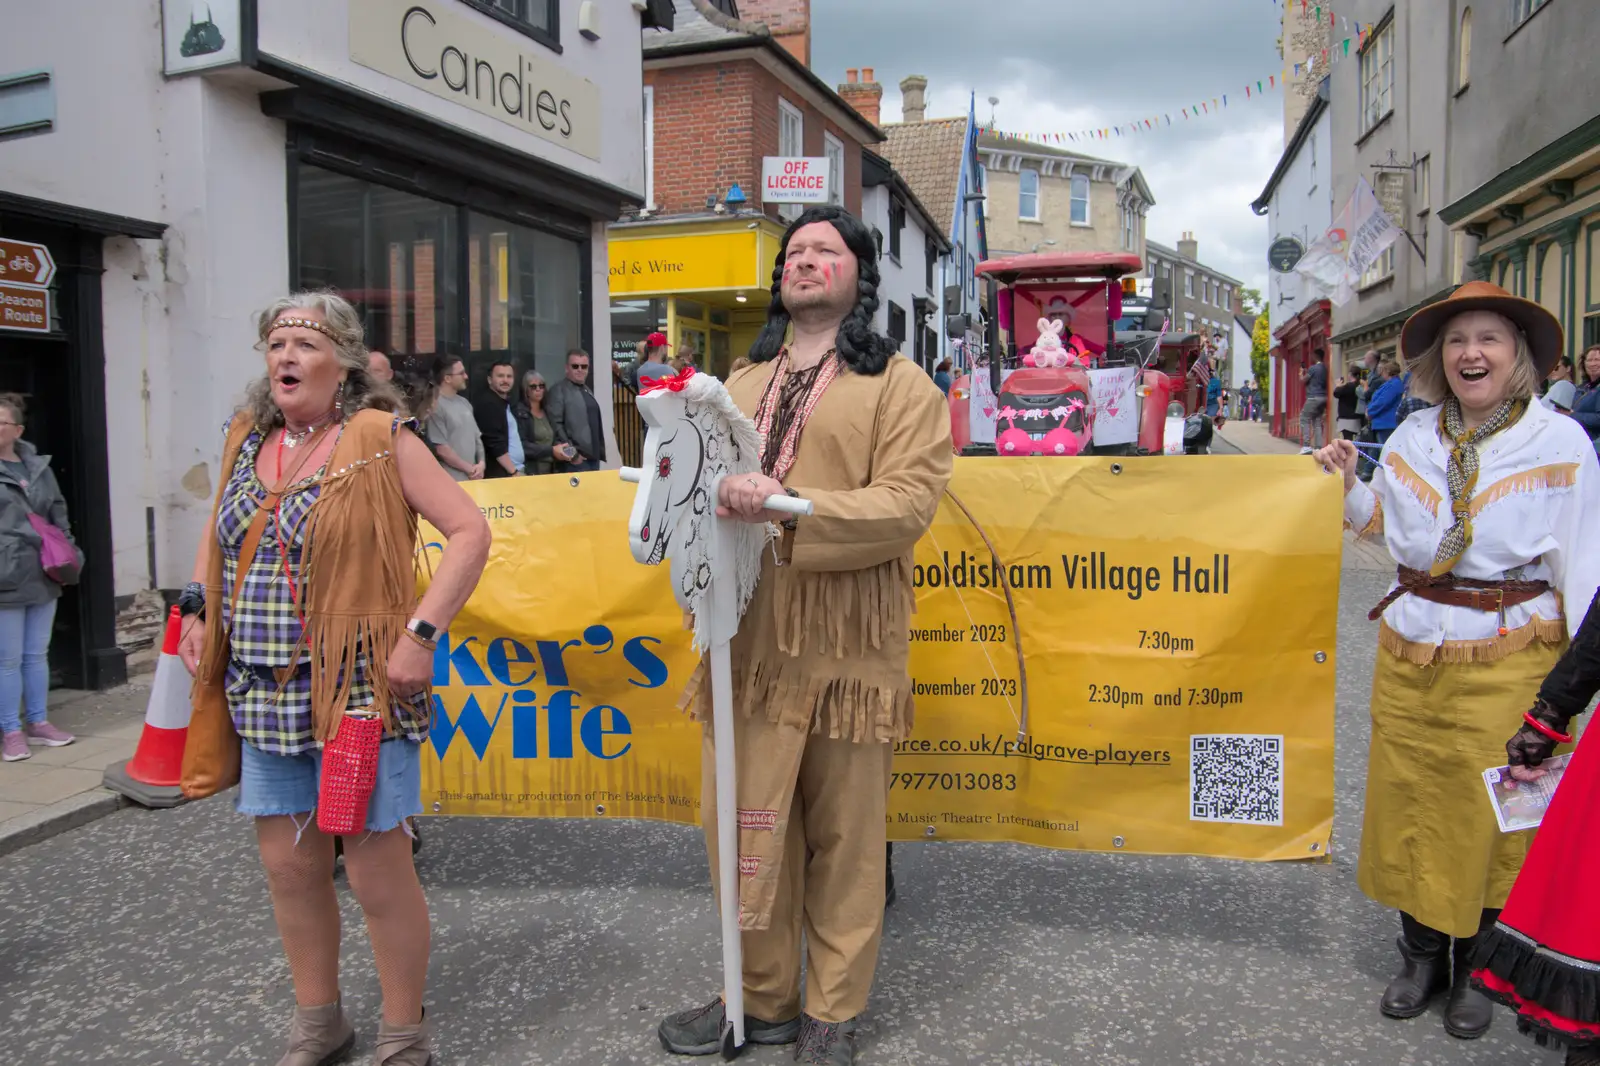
x=1486, y=502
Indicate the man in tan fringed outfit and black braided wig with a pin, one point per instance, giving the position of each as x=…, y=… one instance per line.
x=820, y=663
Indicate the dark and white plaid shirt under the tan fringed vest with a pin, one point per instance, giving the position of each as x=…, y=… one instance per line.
x=266, y=628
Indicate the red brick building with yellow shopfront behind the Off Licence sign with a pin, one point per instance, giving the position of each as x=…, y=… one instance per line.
x=726, y=89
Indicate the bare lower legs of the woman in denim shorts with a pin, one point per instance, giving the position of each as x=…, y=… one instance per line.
x=385, y=883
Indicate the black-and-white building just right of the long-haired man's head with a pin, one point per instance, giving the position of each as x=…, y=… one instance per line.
x=913, y=260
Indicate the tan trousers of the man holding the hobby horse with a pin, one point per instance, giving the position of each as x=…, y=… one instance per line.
x=831, y=878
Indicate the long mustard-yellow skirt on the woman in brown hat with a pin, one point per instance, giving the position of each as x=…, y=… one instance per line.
x=1430, y=841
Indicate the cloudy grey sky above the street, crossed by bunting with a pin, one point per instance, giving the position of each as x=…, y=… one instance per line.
x=1073, y=65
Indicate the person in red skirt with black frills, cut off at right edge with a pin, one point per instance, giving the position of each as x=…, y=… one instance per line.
x=1543, y=955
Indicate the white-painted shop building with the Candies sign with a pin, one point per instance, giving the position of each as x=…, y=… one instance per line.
x=447, y=164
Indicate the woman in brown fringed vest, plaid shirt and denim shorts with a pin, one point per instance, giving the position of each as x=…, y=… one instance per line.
x=305, y=604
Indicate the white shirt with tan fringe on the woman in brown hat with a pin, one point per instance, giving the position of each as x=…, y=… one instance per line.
x=1535, y=507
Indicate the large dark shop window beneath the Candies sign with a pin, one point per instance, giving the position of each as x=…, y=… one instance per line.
x=434, y=279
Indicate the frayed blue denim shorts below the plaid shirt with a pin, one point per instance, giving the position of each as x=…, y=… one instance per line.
x=287, y=785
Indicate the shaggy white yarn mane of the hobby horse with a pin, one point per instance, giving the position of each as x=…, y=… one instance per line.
x=746, y=540
